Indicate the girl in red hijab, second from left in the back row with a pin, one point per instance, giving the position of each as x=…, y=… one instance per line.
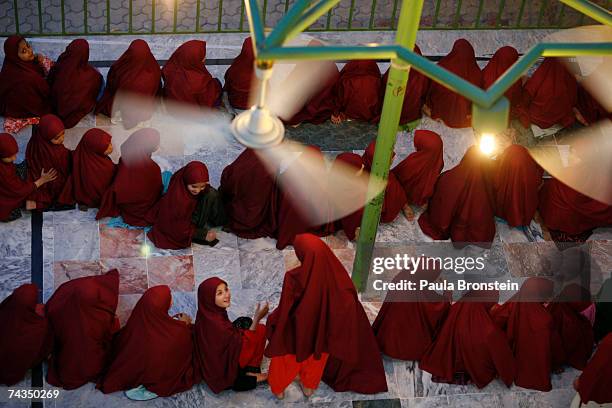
x=74, y=83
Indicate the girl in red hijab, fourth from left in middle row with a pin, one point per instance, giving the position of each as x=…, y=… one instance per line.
x=138, y=184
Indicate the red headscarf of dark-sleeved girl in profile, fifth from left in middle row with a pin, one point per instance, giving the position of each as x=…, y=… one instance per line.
x=171, y=217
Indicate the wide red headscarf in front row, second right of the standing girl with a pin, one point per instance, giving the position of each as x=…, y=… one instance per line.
x=470, y=342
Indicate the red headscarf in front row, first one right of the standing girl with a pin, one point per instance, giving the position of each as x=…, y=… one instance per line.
x=408, y=320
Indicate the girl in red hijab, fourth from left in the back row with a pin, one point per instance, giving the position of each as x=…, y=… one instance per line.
x=187, y=80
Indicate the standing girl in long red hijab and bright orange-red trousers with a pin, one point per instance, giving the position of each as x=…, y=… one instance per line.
x=320, y=330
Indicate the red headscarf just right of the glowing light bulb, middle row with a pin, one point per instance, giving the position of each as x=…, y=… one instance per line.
x=516, y=183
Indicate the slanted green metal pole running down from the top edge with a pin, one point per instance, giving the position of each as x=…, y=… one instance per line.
x=410, y=16
